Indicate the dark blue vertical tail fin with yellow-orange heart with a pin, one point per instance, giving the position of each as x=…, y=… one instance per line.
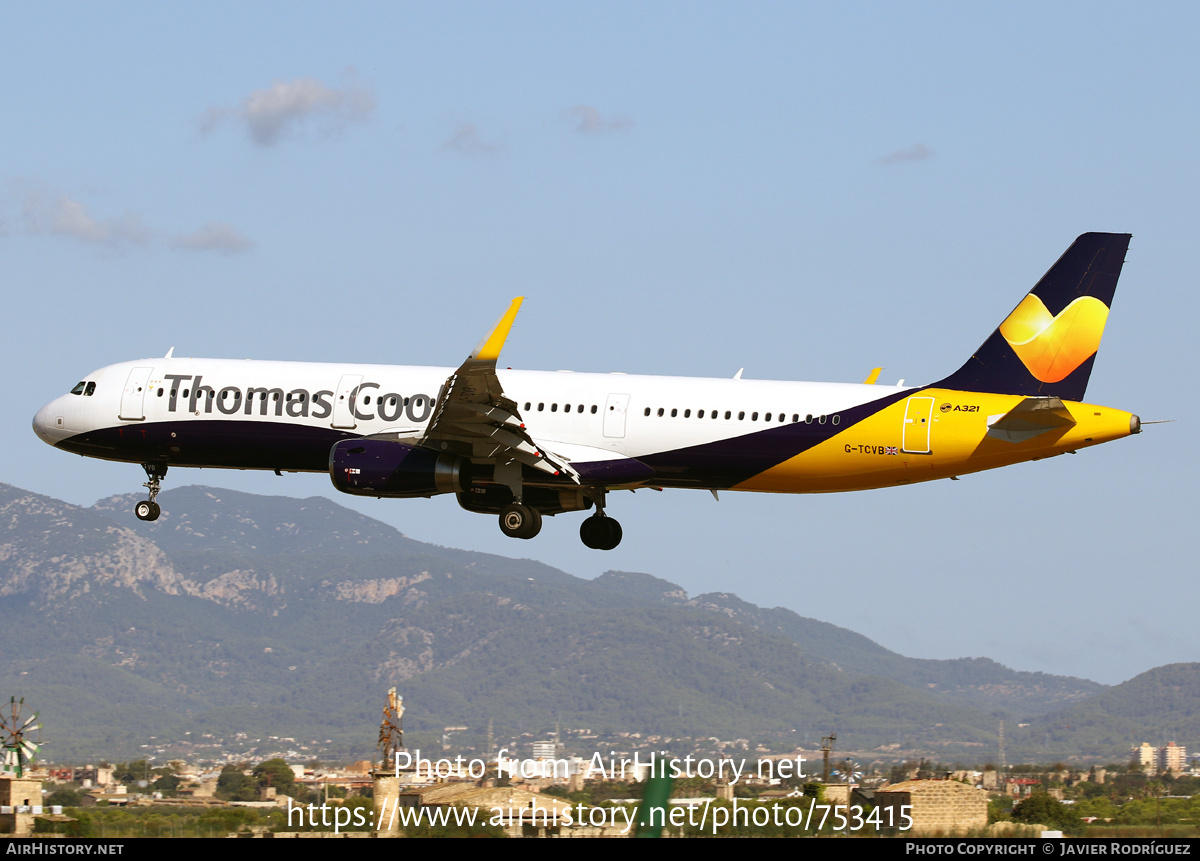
x=1048, y=345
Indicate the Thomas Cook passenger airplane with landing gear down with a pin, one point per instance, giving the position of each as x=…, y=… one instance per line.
x=532, y=444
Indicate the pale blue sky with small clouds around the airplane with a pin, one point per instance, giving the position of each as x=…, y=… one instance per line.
x=802, y=190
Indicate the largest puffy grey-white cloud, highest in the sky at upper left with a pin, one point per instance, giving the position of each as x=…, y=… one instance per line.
x=289, y=109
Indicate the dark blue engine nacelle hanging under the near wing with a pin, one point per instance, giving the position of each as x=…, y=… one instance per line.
x=383, y=468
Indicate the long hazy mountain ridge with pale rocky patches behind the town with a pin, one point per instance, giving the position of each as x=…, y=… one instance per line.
x=236, y=607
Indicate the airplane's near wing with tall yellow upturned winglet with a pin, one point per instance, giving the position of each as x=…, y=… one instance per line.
x=475, y=419
